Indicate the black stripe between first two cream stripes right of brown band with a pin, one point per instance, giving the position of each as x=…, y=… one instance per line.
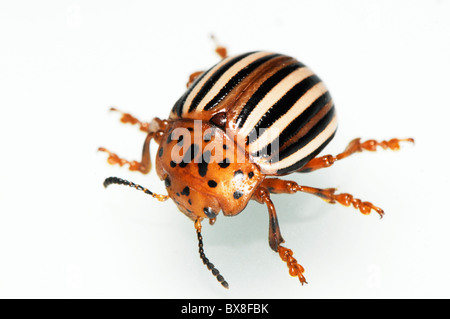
x=283, y=105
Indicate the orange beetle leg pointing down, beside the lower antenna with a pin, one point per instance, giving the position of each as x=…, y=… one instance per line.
x=262, y=196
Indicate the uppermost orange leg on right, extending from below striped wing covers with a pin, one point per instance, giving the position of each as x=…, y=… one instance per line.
x=354, y=146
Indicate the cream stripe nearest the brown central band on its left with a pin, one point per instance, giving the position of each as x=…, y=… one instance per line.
x=226, y=77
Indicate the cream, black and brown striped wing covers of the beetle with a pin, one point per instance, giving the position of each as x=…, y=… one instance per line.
x=274, y=105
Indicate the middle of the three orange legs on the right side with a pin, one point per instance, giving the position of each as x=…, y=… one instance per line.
x=278, y=186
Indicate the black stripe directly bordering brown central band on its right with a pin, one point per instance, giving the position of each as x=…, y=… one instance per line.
x=264, y=88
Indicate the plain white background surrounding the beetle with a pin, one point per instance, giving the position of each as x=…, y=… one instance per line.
x=63, y=63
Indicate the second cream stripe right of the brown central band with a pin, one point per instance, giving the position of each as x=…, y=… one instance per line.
x=280, y=125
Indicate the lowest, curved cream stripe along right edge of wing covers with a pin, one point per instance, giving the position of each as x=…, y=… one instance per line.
x=306, y=150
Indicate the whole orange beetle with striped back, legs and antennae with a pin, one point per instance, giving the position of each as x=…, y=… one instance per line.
x=238, y=127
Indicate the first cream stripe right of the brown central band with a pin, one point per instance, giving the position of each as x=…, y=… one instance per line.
x=273, y=96
